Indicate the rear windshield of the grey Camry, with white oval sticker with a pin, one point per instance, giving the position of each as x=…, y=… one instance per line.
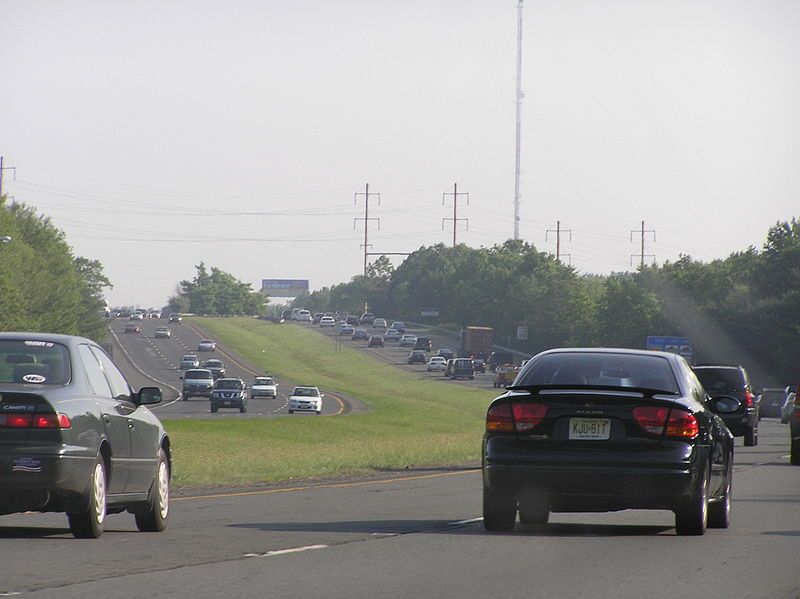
x=34, y=362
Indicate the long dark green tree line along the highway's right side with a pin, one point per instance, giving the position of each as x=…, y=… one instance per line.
x=744, y=309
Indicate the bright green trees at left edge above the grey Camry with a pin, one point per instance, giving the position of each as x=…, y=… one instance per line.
x=44, y=287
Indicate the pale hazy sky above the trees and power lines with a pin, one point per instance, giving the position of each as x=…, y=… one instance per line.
x=157, y=135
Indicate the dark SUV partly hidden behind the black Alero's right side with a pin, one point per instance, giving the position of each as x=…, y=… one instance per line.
x=734, y=382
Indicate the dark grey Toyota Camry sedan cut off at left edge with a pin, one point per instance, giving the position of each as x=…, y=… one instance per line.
x=75, y=438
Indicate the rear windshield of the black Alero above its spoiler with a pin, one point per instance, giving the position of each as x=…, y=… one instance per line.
x=610, y=370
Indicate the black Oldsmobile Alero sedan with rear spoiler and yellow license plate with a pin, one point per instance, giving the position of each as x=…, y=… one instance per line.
x=598, y=430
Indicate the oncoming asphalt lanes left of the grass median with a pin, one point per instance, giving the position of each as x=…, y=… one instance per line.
x=146, y=360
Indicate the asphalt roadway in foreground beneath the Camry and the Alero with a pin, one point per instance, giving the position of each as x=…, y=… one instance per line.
x=418, y=535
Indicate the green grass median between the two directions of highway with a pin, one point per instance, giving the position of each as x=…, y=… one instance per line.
x=410, y=422
